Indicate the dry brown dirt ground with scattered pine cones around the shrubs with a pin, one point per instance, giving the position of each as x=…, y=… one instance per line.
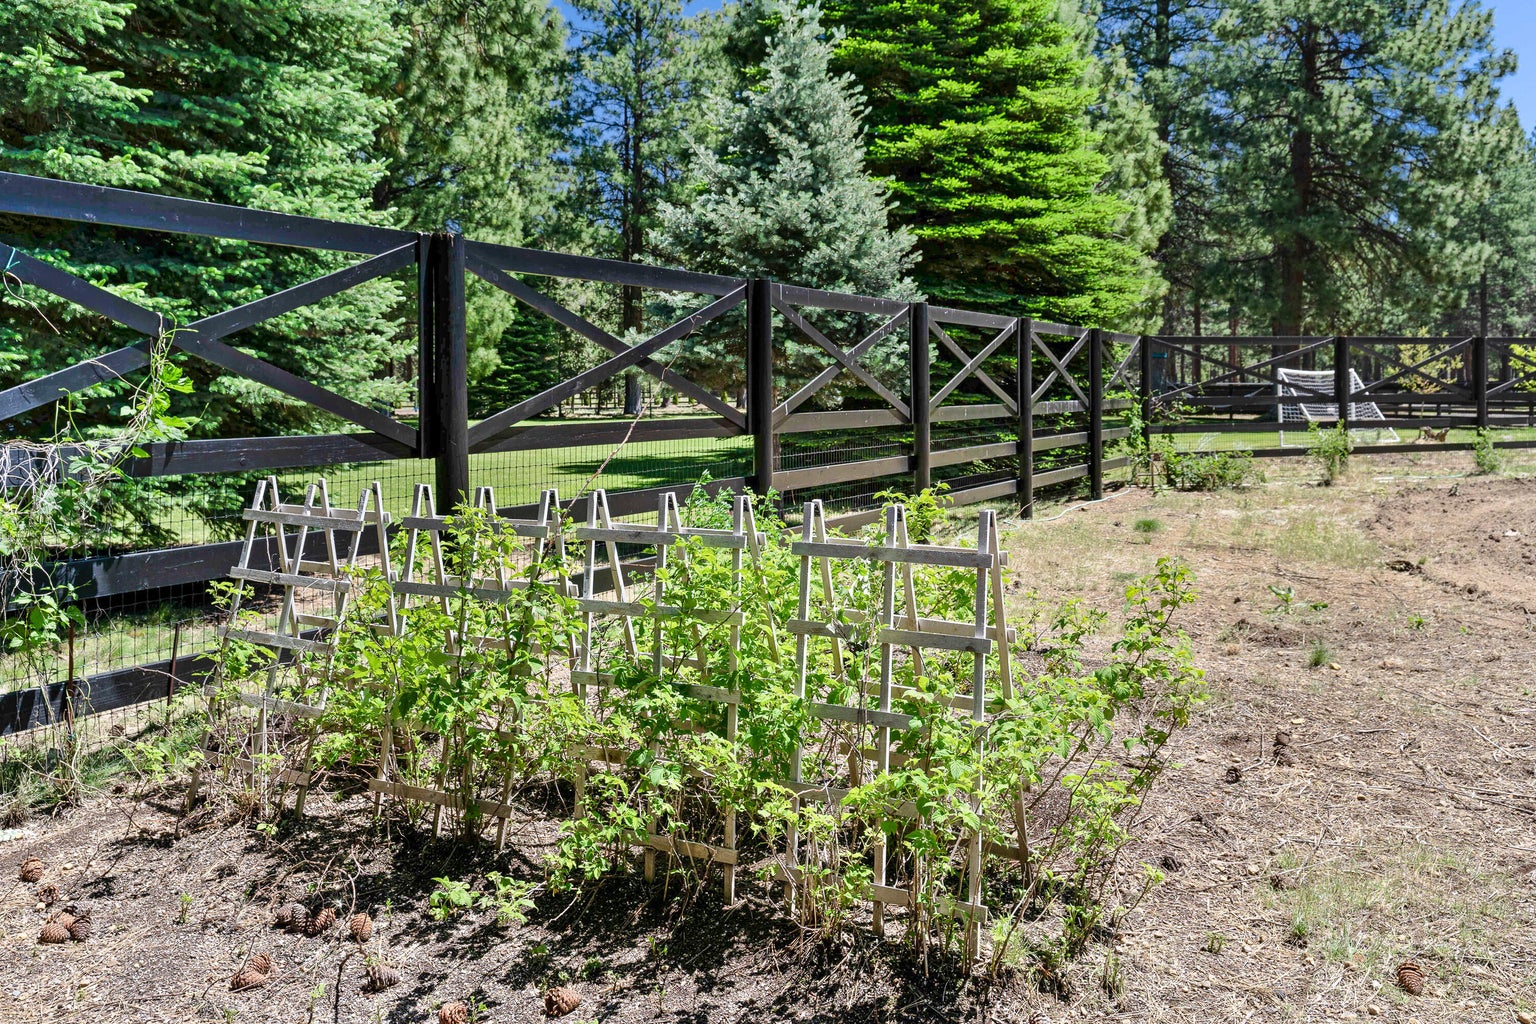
x=1405, y=828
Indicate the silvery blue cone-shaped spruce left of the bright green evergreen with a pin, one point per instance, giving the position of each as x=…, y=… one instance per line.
x=783, y=193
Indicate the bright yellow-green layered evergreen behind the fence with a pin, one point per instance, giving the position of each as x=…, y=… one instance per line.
x=979, y=116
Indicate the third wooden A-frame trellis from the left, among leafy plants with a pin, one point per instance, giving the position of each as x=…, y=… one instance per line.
x=663, y=538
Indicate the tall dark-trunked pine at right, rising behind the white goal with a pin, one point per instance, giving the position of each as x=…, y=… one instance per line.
x=1352, y=140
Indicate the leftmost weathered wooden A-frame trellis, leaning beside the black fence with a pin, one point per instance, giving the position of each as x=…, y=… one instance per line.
x=303, y=639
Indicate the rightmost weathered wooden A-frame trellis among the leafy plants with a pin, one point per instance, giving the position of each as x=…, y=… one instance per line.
x=895, y=630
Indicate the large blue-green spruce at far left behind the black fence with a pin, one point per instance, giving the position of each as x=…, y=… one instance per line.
x=256, y=105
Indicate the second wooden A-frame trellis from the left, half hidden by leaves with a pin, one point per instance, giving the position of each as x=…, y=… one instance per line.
x=442, y=587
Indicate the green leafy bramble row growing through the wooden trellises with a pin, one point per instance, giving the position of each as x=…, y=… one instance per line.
x=475, y=698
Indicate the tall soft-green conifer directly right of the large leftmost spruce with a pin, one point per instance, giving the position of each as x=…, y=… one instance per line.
x=471, y=144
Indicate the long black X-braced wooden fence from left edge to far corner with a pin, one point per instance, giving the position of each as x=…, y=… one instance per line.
x=993, y=406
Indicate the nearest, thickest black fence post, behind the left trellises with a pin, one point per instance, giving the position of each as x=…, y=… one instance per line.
x=451, y=372
